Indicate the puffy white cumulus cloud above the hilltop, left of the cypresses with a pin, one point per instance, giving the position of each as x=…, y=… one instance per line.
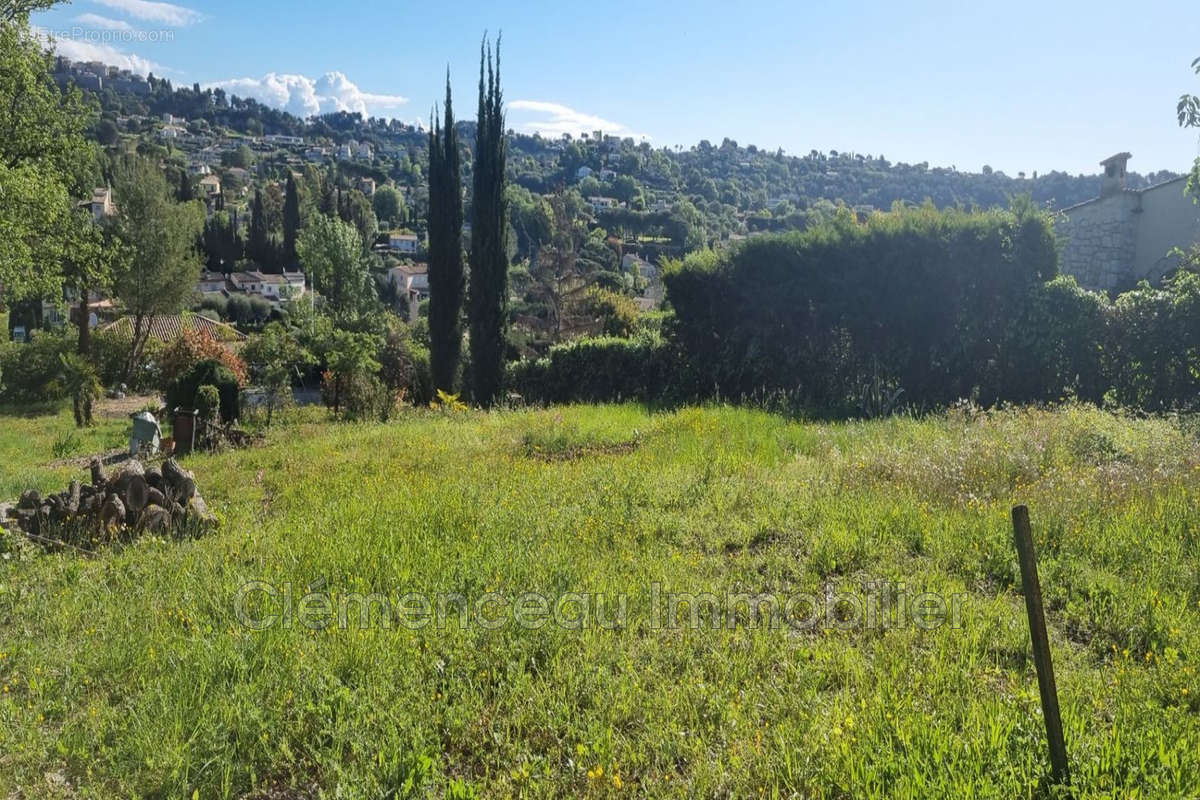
x=307, y=97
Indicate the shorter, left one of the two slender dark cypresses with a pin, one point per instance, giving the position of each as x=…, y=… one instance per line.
x=448, y=281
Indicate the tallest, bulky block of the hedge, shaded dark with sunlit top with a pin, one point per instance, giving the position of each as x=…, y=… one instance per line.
x=927, y=299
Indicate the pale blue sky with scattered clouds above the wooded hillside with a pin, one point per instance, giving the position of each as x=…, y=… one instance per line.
x=1021, y=86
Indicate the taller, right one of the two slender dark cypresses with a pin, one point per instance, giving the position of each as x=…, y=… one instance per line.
x=489, y=293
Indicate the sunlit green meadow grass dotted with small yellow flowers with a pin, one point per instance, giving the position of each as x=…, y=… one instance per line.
x=131, y=675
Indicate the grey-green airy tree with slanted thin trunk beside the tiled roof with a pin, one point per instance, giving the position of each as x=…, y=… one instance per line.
x=160, y=275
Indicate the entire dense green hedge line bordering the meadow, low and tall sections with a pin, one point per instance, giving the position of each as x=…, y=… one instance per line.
x=916, y=309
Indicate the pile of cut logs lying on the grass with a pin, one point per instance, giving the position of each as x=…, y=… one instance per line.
x=134, y=501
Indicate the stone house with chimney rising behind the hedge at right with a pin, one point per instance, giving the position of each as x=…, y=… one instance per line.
x=1127, y=236
